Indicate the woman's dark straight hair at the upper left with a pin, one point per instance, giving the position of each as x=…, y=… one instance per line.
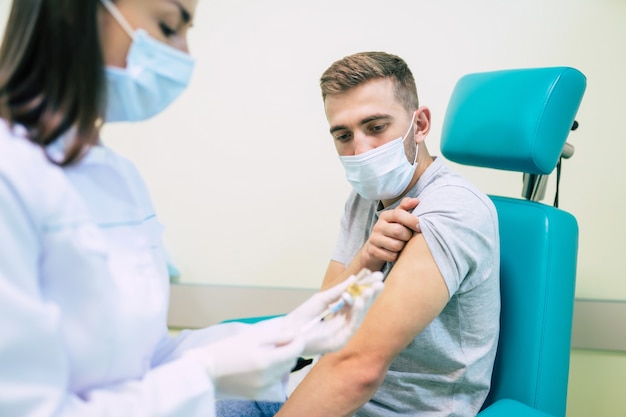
x=51, y=72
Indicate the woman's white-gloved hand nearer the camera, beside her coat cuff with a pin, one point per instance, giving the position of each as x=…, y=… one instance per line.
x=251, y=364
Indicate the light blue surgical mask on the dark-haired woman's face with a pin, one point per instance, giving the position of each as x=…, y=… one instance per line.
x=155, y=75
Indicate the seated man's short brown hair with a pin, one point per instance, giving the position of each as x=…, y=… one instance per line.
x=359, y=68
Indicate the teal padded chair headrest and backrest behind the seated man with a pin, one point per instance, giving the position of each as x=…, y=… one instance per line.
x=519, y=120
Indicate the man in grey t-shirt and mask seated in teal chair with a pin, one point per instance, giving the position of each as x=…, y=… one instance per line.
x=428, y=343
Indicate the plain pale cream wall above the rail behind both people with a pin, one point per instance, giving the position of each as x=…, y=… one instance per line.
x=242, y=168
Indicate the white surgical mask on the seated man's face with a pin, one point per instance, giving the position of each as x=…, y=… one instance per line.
x=382, y=173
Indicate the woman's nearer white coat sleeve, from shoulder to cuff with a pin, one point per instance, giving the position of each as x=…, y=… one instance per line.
x=34, y=366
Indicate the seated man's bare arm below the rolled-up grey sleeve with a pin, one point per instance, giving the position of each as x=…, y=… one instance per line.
x=340, y=383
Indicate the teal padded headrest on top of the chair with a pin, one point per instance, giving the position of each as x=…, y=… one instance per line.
x=515, y=120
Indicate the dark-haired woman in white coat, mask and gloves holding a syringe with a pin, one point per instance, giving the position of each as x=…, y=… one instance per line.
x=83, y=281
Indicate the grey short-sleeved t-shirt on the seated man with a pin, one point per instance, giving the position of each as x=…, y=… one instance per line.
x=446, y=369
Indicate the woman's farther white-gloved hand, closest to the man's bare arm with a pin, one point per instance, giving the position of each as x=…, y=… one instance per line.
x=334, y=331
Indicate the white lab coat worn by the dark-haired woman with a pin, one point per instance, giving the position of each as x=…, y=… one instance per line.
x=84, y=293
